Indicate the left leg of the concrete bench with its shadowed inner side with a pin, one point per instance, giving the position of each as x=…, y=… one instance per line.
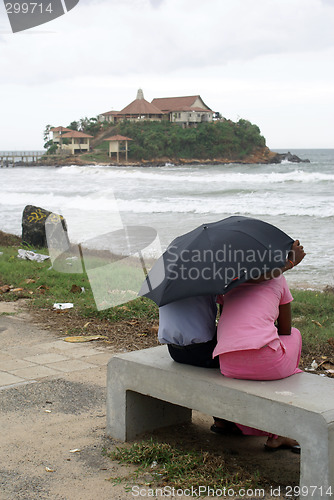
x=130, y=413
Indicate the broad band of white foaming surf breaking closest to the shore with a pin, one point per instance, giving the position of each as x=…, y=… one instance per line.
x=250, y=203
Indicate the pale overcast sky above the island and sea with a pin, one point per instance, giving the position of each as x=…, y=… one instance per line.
x=267, y=61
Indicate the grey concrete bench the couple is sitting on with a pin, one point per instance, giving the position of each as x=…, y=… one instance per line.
x=147, y=390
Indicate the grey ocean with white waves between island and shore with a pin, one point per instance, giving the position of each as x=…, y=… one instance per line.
x=296, y=197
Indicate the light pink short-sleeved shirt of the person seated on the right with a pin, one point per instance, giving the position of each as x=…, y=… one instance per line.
x=249, y=314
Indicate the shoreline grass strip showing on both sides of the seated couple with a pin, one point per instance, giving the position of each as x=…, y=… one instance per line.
x=312, y=311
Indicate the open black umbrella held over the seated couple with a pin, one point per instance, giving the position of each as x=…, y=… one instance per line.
x=214, y=258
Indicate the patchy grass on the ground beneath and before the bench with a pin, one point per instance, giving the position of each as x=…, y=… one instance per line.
x=165, y=464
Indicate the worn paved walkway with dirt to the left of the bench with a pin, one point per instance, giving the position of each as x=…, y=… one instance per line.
x=52, y=402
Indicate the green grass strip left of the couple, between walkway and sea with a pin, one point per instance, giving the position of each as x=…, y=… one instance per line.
x=46, y=286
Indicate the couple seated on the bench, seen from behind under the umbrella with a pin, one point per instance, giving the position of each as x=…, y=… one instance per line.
x=246, y=344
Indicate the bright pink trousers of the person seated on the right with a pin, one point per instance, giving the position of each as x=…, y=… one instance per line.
x=264, y=364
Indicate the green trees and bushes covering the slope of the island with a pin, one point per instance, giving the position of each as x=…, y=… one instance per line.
x=219, y=139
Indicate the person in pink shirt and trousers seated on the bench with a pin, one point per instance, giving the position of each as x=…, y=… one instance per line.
x=255, y=339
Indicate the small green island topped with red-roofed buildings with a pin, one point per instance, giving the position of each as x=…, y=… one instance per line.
x=175, y=130
